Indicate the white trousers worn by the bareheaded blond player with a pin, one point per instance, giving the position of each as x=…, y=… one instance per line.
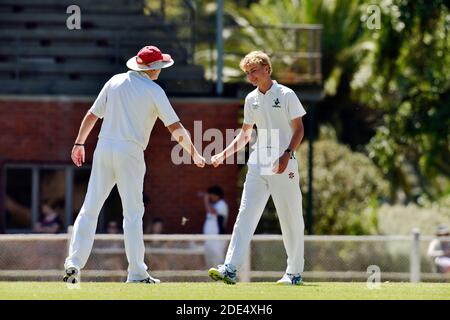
x=285, y=191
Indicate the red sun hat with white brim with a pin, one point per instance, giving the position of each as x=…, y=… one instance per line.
x=149, y=58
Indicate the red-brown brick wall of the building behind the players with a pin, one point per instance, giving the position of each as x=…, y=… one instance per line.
x=42, y=130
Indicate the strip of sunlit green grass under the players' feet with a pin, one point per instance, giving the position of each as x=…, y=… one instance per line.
x=212, y=291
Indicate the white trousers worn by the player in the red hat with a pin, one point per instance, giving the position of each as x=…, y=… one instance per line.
x=121, y=163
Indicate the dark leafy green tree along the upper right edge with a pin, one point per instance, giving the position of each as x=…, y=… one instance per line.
x=406, y=76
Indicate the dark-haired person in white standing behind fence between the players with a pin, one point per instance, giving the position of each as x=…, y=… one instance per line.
x=215, y=223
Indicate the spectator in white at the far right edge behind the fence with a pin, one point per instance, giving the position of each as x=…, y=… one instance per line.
x=439, y=250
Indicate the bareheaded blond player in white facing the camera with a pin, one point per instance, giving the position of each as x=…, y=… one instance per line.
x=272, y=169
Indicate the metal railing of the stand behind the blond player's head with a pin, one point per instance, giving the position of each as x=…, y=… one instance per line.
x=299, y=63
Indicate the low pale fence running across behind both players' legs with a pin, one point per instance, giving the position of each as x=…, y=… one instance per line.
x=180, y=257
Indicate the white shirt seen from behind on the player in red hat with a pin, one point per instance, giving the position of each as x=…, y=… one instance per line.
x=129, y=105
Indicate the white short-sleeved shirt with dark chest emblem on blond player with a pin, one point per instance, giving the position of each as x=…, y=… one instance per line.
x=272, y=113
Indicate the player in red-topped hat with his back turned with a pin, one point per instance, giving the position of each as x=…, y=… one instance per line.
x=129, y=105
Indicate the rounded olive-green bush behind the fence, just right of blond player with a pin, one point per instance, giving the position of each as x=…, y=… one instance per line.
x=347, y=187
